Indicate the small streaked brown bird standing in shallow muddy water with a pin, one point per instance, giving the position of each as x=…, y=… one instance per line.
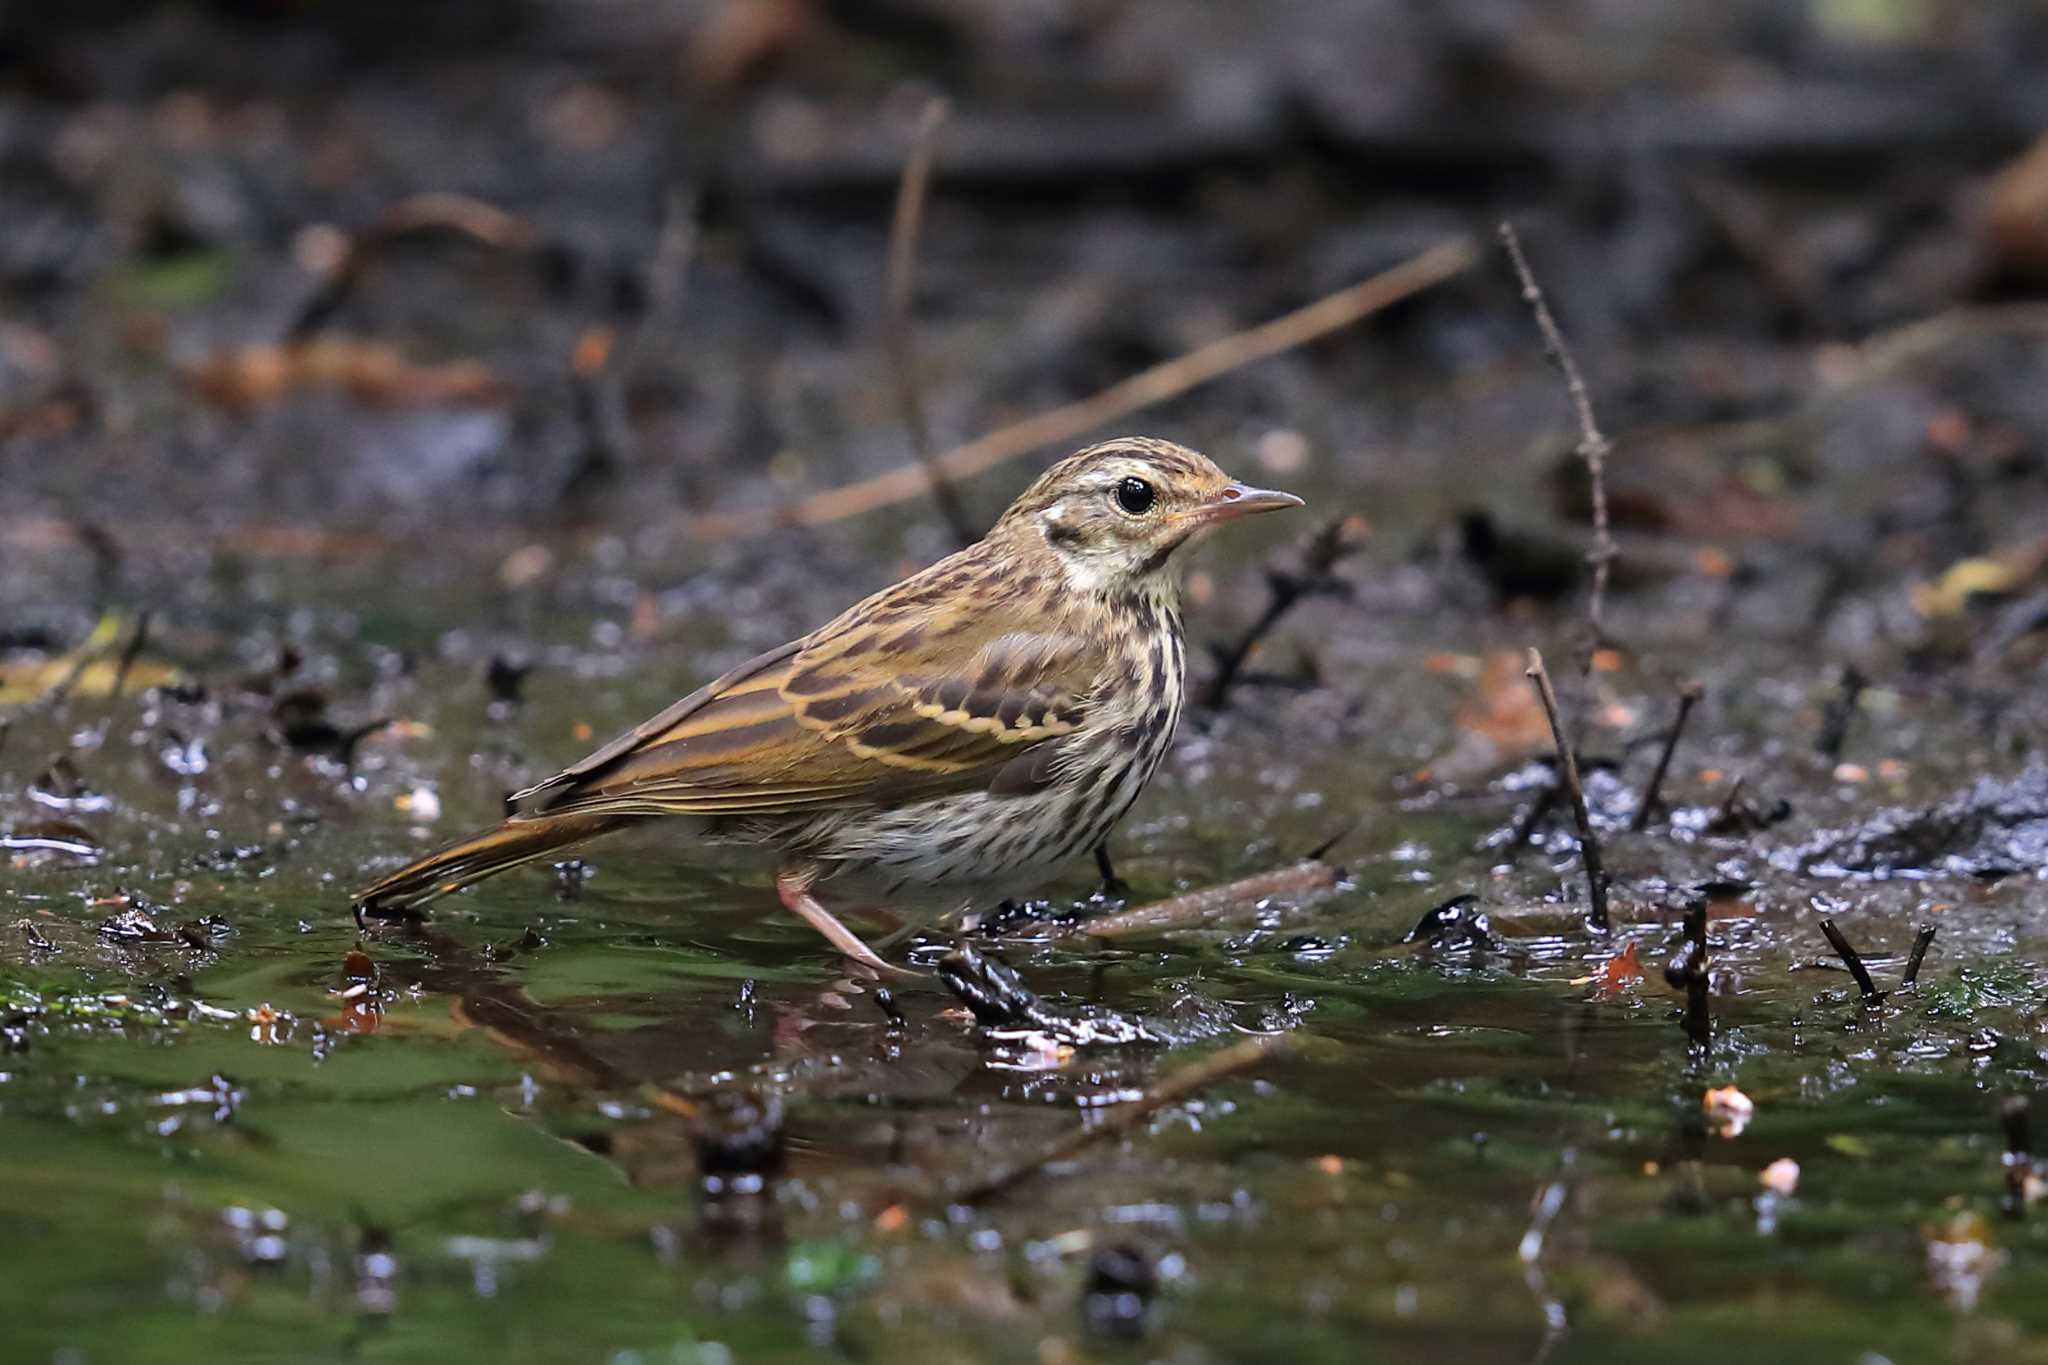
x=986, y=717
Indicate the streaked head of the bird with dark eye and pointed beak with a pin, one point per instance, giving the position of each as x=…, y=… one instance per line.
x=1115, y=515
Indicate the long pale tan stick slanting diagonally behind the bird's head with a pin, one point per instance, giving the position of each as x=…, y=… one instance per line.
x=1144, y=390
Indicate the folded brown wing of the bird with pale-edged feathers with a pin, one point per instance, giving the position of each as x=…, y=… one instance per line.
x=878, y=709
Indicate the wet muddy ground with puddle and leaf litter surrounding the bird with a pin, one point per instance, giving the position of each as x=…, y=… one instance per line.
x=331, y=515
